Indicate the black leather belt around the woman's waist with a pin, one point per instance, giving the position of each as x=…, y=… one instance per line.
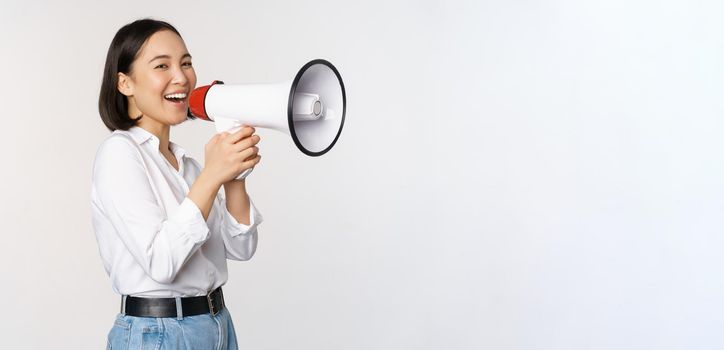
x=166, y=307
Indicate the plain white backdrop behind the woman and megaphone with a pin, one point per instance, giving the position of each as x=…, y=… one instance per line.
x=511, y=175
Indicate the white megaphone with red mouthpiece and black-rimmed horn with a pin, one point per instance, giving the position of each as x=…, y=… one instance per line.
x=311, y=107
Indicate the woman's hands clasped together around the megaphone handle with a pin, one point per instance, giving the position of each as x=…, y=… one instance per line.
x=228, y=155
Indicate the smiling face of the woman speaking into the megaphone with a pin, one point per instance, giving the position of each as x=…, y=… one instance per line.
x=160, y=80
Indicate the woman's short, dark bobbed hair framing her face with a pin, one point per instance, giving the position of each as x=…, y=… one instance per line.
x=112, y=105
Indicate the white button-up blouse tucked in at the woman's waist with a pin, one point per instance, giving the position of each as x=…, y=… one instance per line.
x=153, y=240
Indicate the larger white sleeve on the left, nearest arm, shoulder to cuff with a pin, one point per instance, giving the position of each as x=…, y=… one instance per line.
x=161, y=245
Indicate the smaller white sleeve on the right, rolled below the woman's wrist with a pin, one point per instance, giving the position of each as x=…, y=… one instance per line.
x=239, y=240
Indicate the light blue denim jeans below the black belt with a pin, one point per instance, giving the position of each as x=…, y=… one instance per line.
x=191, y=332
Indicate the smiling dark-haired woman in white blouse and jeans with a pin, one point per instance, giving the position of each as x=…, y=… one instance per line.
x=164, y=232
